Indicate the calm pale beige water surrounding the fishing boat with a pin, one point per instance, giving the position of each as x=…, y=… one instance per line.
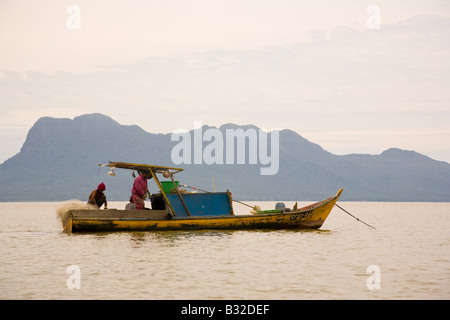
x=410, y=248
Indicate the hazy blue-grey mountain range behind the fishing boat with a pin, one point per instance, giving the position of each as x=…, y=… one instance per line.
x=60, y=157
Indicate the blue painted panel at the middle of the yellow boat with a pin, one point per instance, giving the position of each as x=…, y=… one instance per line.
x=201, y=204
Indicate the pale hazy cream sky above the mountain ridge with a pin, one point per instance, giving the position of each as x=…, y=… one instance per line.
x=315, y=67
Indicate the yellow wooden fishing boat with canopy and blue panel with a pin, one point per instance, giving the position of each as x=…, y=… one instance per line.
x=174, y=208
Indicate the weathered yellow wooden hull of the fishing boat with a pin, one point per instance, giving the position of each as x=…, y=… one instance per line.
x=312, y=216
